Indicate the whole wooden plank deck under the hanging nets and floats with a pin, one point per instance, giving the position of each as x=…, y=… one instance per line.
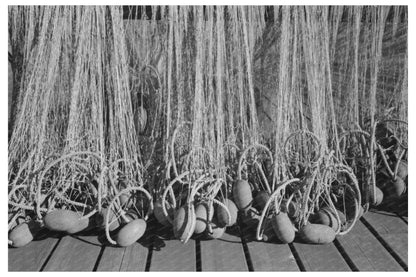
x=378, y=242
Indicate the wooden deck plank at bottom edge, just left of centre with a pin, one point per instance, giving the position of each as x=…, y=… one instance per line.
x=172, y=255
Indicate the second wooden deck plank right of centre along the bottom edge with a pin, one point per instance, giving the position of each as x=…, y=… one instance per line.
x=271, y=256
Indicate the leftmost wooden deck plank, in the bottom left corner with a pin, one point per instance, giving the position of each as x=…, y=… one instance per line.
x=32, y=256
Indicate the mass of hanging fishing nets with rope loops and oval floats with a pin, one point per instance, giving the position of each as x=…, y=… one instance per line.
x=121, y=113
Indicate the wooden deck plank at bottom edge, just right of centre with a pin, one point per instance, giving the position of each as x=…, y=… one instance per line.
x=224, y=254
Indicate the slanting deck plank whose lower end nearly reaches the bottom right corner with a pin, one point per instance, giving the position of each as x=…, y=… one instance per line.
x=366, y=252
